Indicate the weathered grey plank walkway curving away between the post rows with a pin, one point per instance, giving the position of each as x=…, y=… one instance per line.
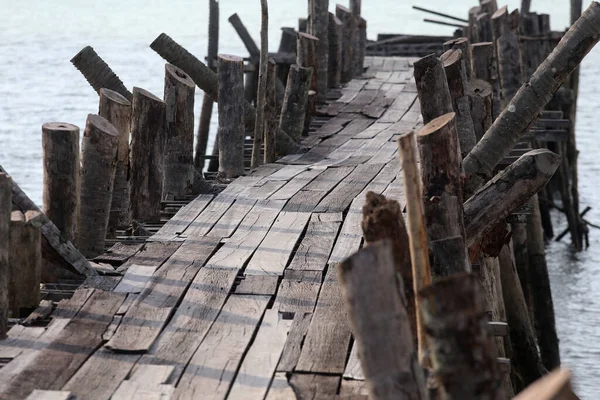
x=237, y=295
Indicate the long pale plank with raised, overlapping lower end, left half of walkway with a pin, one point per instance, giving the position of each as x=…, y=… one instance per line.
x=145, y=319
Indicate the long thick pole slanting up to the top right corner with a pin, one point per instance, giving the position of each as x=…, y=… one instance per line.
x=525, y=107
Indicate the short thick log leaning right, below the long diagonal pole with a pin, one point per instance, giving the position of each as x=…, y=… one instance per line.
x=507, y=191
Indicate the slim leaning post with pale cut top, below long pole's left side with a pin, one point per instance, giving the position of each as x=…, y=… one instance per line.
x=457, y=84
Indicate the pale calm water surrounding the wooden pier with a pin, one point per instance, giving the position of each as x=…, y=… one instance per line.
x=38, y=84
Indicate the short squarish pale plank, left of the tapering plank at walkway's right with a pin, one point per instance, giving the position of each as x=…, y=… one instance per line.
x=298, y=291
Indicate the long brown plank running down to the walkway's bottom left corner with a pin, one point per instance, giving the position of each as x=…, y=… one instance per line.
x=55, y=364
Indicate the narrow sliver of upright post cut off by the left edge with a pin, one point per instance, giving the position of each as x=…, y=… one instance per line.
x=5, y=211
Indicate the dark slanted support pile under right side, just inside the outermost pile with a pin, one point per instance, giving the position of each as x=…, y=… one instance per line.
x=526, y=360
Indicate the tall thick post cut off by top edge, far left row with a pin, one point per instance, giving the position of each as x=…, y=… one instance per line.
x=318, y=25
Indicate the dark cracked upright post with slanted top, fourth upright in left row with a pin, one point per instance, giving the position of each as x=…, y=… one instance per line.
x=146, y=156
